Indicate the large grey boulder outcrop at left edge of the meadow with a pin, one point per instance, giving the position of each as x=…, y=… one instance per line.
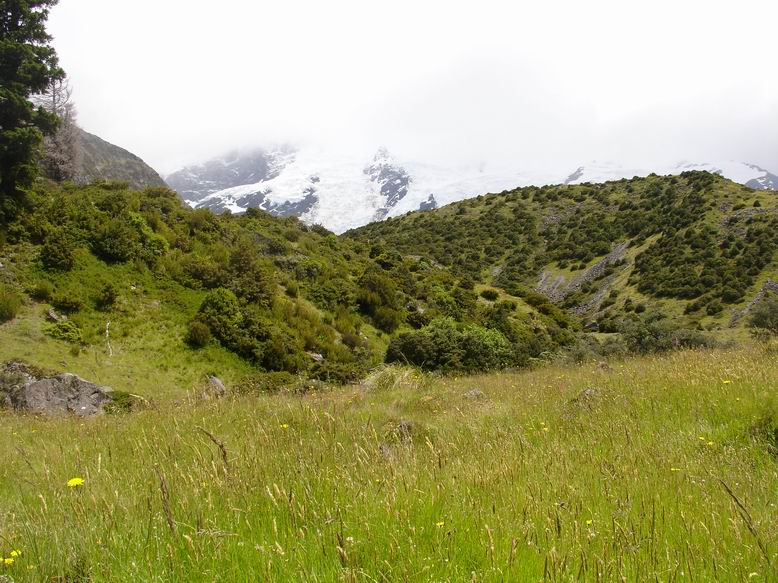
x=25, y=388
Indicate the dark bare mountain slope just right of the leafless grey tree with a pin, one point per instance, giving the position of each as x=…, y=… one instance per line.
x=101, y=160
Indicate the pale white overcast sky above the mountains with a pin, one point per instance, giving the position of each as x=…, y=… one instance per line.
x=535, y=84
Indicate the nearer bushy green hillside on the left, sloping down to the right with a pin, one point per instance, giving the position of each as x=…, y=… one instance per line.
x=253, y=298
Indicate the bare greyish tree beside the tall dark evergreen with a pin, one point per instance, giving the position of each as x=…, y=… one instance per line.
x=61, y=156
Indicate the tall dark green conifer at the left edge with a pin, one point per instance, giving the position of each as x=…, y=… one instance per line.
x=28, y=65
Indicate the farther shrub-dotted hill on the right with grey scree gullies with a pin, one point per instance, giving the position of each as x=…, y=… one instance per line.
x=697, y=246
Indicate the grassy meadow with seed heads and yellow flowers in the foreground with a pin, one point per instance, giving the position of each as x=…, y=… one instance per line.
x=656, y=474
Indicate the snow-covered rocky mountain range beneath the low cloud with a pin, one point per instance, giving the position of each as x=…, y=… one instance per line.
x=342, y=192
